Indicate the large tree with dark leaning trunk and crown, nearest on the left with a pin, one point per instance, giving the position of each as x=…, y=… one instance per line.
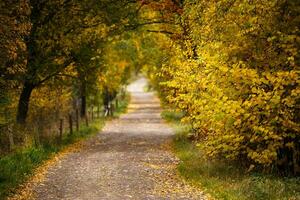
x=57, y=27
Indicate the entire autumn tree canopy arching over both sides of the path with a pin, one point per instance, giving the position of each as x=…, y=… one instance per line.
x=231, y=66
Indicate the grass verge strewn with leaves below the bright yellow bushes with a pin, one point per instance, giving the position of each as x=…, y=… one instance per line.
x=225, y=180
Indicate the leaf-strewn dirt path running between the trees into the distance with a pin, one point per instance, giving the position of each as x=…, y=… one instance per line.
x=128, y=160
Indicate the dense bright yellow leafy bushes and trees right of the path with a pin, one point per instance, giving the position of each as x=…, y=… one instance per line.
x=233, y=69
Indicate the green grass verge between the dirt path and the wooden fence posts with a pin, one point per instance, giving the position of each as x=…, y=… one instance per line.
x=17, y=167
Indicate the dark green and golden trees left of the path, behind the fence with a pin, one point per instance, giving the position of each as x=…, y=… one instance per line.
x=55, y=62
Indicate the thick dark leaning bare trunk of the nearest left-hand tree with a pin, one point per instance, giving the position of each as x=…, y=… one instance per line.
x=24, y=102
